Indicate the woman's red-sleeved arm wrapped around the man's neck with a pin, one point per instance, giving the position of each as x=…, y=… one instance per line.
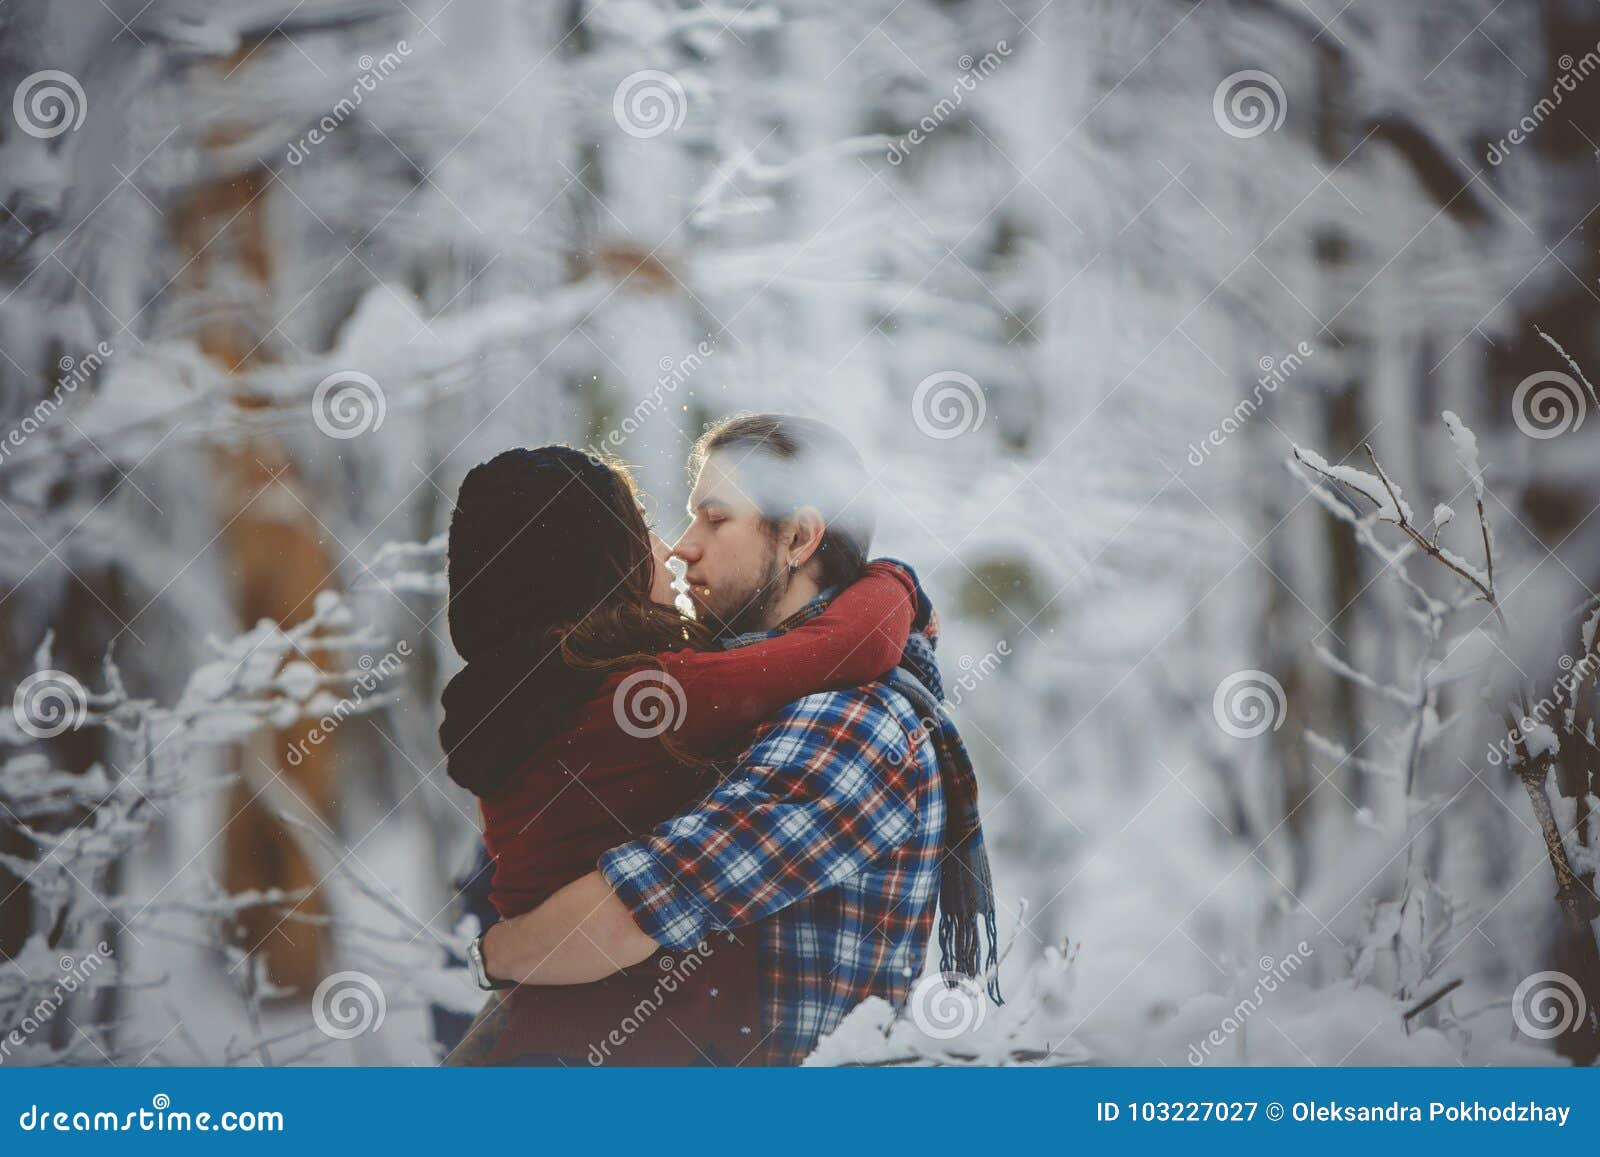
x=855, y=641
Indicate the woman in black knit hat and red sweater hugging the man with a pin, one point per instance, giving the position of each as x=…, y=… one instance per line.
x=588, y=713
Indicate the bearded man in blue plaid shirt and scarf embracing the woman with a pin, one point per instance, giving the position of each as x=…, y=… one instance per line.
x=849, y=820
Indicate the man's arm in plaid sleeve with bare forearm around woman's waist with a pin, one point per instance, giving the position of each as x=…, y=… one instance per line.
x=820, y=798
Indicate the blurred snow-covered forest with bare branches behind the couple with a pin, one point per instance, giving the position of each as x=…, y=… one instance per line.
x=1146, y=316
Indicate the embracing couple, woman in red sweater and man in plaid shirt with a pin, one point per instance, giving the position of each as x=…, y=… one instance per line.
x=710, y=836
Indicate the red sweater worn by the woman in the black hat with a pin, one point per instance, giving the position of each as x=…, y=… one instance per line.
x=598, y=787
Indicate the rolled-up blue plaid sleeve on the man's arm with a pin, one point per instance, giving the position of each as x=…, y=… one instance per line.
x=825, y=790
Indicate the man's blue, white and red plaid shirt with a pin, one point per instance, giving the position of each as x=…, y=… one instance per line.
x=828, y=833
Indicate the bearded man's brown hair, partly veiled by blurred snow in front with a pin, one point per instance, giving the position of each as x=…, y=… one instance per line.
x=785, y=463
